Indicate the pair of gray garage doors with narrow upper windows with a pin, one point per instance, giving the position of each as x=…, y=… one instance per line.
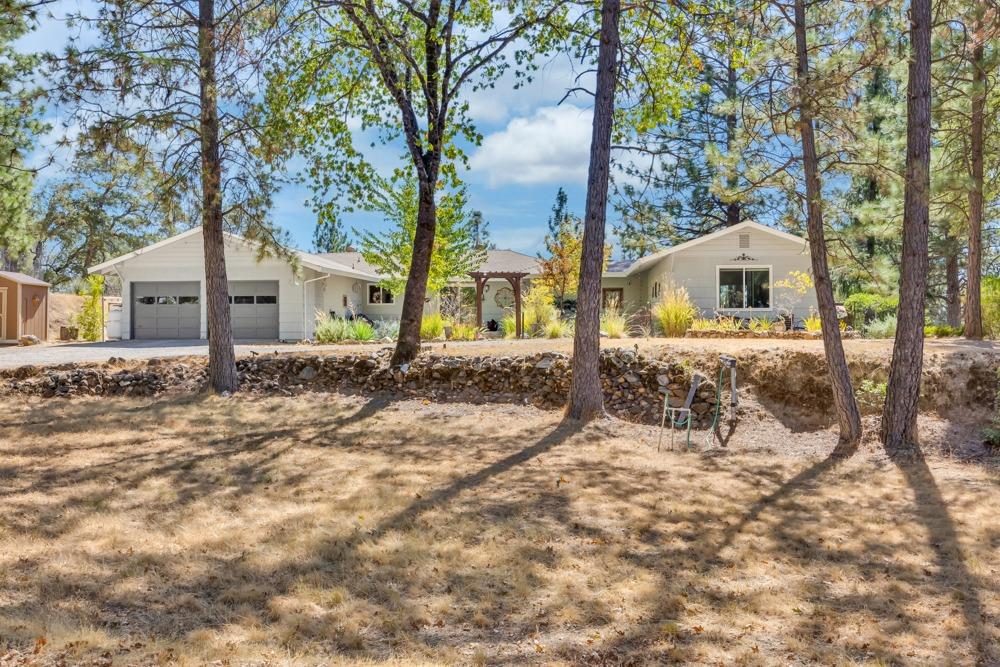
x=173, y=310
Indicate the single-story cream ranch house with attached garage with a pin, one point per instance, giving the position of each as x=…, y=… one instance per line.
x=731, y=271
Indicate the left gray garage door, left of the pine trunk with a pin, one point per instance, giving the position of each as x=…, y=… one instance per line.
x=166, y=310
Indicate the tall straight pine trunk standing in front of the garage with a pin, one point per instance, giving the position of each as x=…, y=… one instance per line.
x=221, y=356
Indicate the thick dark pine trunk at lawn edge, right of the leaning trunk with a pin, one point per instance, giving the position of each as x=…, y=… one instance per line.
x=899, y=417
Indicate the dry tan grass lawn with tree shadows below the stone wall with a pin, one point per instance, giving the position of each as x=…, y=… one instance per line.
x=326, y=529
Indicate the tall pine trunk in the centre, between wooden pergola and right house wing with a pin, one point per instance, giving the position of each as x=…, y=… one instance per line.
x=586, y=396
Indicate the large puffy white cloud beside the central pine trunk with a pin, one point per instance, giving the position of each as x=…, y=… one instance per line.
x=550, y=146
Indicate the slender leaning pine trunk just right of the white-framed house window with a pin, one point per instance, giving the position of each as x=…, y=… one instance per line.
x=848, y=416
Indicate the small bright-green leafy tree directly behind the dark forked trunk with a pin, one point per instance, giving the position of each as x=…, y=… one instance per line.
x=455, y=252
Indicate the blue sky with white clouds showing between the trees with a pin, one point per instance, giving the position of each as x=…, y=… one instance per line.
x=532, y=146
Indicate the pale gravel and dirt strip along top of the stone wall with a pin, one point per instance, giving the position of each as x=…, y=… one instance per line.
x=53, y=354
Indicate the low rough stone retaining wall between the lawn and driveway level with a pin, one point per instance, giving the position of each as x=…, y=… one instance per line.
x=634, y=385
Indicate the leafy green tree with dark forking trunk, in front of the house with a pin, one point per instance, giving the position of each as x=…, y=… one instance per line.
x=400, y=70
